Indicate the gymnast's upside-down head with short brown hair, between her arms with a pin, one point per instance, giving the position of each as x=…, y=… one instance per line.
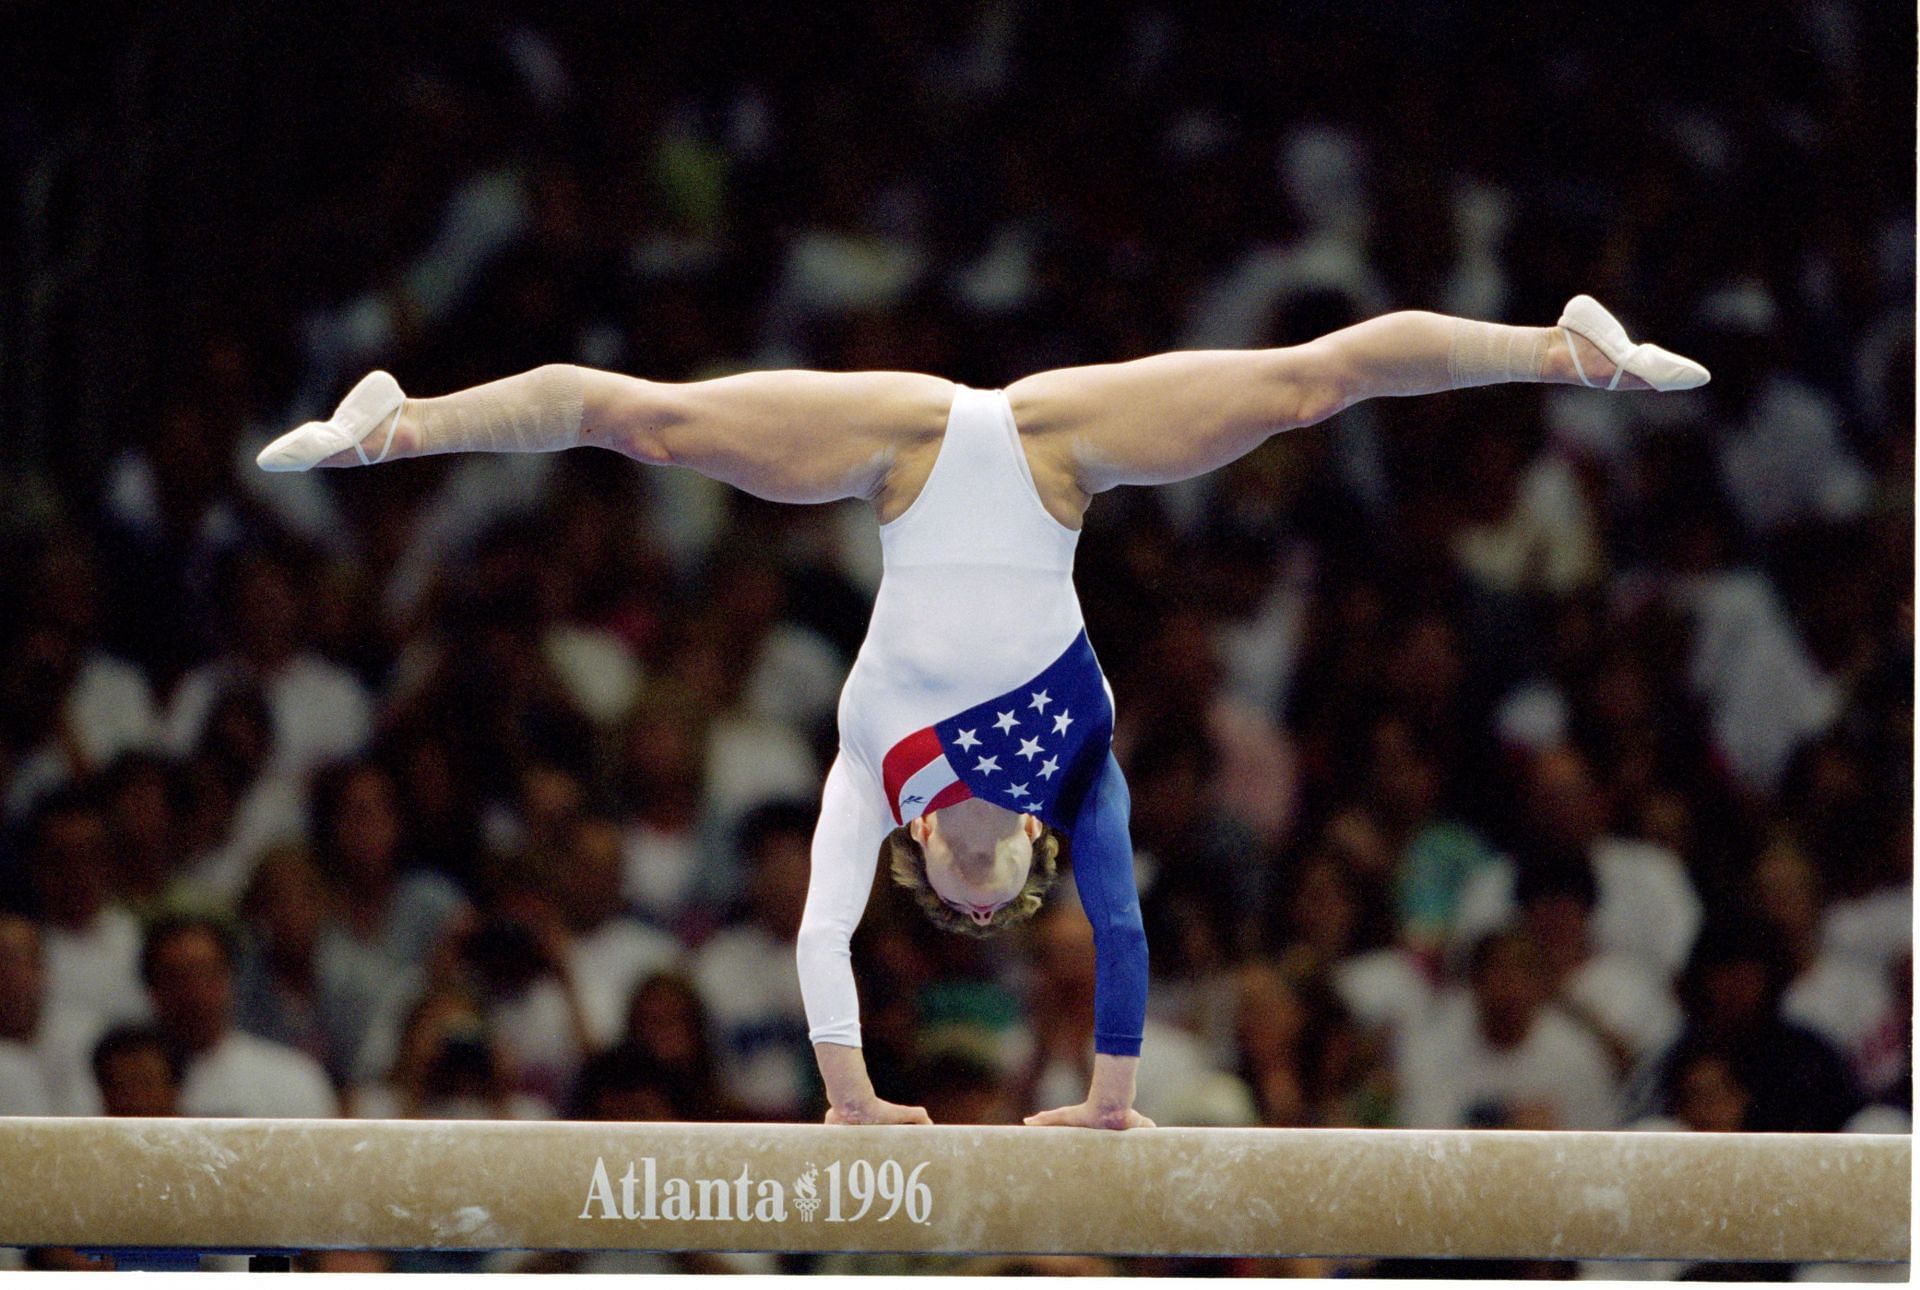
x=974, y=867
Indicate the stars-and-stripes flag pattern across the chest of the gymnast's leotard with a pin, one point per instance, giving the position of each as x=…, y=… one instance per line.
x=1032, y=750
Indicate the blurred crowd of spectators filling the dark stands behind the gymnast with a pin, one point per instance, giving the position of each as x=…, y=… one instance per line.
x=1504, y=759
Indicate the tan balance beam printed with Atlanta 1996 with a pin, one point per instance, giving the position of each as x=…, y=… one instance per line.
x=483, y=1185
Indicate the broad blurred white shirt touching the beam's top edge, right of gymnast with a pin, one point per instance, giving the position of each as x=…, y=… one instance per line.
x=1445, y=1068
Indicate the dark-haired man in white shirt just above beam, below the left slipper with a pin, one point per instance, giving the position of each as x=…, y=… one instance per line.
x=187, y=967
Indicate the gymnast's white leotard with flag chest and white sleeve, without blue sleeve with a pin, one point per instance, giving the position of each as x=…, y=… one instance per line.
x=976, y=604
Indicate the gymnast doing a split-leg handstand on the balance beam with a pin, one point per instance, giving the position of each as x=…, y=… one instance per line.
x=974, y=727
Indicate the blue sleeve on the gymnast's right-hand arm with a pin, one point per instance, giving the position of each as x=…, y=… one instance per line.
x=1103, y=874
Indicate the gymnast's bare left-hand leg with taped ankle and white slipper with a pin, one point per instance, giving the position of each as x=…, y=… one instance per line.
x=784, y=437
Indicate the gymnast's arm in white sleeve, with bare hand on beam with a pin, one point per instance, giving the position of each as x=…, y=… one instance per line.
x=846, y=853
